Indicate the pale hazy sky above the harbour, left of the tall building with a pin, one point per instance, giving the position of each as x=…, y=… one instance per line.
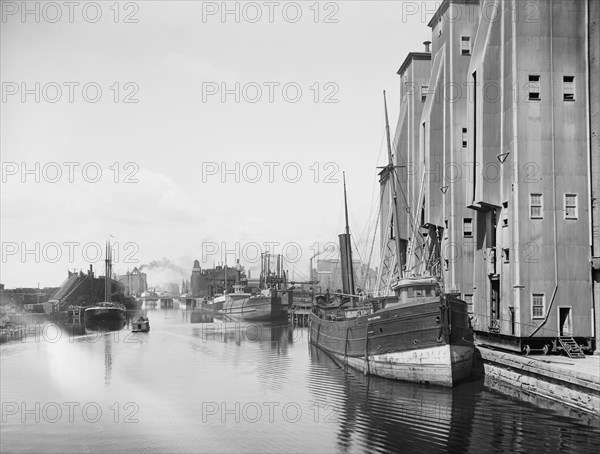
x=180, y=131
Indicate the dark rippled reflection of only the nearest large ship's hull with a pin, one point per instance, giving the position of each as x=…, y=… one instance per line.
x=375, y=413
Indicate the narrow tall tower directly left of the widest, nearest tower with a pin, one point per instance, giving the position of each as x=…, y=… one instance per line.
x=443, y=124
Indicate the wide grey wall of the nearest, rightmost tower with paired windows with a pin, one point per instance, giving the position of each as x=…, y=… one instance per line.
x=546, y=142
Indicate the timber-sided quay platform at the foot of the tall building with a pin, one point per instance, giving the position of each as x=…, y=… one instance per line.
x=574, y=383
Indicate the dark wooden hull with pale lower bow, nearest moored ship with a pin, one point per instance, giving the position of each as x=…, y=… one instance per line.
x=420, y=343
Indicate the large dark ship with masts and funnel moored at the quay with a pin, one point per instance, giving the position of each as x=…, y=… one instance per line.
x=411, y=331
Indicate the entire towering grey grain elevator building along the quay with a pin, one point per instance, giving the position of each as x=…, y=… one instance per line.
x=497, y=147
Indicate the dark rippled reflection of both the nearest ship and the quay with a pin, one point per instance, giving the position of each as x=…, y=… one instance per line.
x=375, y=414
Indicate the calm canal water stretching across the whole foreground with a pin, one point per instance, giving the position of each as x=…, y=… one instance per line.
x=193, y=386
